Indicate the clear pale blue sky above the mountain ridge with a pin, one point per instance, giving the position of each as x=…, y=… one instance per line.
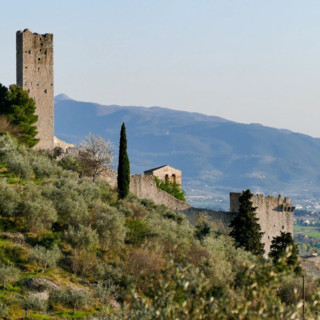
x=244, y=60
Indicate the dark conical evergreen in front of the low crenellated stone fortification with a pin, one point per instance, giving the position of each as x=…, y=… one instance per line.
x=245, y=227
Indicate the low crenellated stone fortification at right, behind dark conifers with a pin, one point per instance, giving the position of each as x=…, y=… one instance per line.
x=275, y=215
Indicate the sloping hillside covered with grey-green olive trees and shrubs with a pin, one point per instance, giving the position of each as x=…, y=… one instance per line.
x=71, y=249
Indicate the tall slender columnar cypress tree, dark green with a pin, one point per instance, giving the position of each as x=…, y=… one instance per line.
x=123, y=166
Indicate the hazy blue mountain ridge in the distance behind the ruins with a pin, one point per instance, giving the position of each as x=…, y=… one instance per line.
x=215, y=155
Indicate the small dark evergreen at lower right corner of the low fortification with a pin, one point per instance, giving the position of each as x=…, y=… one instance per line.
x=285, y=252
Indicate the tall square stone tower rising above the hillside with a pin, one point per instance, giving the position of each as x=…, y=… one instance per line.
x=35, y=75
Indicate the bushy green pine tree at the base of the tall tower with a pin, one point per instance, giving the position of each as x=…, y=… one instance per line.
x=19, y=109
